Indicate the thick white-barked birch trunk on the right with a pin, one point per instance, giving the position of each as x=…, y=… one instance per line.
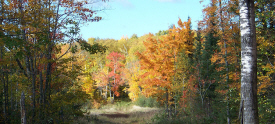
x=249, y=111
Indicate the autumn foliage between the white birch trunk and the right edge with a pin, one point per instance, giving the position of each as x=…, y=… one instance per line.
x=265, y=30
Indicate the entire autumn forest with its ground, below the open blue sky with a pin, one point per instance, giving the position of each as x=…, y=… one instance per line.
x=50, y=74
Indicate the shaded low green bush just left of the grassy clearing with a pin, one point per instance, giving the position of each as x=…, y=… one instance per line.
x=66, y=106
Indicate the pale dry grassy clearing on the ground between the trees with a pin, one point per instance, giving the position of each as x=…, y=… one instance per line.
x=119, y=113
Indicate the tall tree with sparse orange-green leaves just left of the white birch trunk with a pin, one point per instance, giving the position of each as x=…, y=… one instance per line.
x=226, y=58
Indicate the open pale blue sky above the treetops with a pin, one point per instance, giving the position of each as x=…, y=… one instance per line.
x=128, y=17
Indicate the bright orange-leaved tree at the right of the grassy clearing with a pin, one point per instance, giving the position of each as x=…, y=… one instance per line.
x=159, y=63
